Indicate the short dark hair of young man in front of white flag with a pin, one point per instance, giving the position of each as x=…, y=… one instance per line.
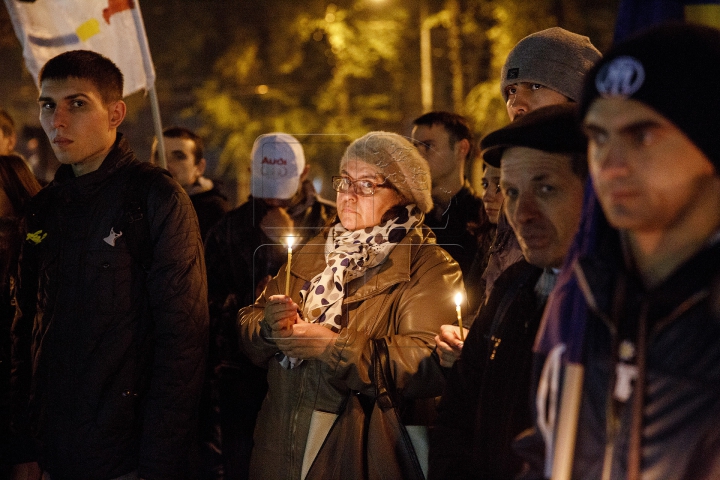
x=87, y=65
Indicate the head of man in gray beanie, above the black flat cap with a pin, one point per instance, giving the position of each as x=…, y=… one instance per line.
x=546, y=68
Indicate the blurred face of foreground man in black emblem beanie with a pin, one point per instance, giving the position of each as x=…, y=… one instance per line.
x=646, y=172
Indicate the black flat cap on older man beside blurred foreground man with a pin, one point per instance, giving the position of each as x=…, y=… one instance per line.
x=553, y=129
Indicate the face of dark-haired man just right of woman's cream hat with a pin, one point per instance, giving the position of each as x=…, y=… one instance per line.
x=433, y=143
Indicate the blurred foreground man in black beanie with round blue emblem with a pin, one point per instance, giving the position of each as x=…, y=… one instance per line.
x=648, y=334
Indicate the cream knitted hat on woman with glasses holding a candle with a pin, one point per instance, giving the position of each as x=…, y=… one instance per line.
x=397, y=160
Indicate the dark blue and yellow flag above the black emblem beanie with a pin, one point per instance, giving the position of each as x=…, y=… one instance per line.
x=636, y=15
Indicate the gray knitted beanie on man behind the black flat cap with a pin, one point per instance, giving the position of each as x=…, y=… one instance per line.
x=554, y=58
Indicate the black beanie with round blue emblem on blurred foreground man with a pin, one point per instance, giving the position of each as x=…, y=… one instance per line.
x=667, y=68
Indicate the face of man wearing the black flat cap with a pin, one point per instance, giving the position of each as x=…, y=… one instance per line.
x=543, y=203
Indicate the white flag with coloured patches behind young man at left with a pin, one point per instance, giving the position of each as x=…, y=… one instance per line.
x=112, y=28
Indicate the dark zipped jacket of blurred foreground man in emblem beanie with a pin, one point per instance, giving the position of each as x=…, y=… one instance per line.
x=677, y=419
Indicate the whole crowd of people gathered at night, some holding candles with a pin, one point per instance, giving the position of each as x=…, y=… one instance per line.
x=562, y=323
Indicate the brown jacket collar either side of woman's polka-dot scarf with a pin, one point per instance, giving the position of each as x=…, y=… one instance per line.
x=310, y=260
